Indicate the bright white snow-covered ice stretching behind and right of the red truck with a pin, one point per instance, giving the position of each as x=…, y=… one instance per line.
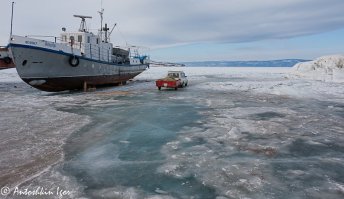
x=272, y=80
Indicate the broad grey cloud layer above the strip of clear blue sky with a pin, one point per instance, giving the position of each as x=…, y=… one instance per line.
x=159, y=23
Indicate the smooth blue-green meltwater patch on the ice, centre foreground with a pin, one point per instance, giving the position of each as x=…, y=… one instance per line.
x=127, y=152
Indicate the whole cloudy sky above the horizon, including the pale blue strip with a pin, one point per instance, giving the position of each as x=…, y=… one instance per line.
x=194, y=30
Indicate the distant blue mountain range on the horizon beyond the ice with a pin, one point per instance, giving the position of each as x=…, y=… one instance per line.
x=270, y=63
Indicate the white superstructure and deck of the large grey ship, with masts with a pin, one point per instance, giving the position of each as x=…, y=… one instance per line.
x=85, y=44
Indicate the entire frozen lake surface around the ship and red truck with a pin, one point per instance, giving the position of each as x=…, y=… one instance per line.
x=232, y=133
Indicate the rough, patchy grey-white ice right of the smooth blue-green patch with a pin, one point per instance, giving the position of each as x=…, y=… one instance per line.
x=244, y=145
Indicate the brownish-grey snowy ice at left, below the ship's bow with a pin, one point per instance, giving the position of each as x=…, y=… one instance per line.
x=33, y=132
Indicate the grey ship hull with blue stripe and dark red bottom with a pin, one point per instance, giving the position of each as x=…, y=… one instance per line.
x=52, y=71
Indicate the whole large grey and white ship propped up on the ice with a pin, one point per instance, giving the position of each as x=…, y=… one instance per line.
x=75, y=60
